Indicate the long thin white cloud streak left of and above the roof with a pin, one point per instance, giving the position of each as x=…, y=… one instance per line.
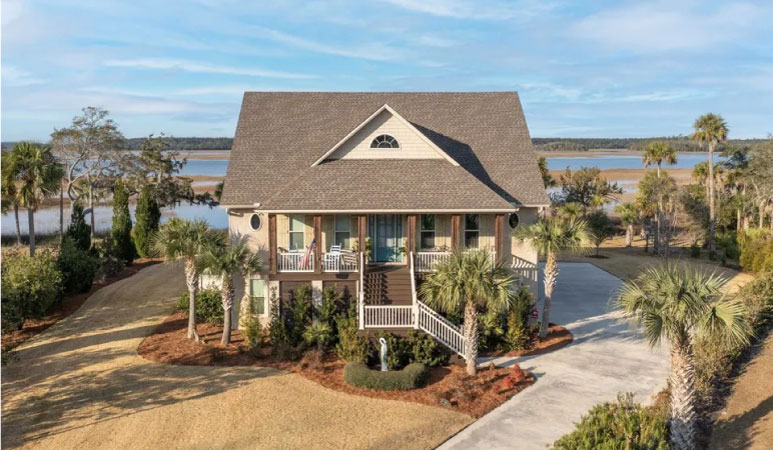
x=196, y=67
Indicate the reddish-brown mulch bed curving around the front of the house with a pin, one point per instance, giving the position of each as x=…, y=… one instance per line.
x=448, y=387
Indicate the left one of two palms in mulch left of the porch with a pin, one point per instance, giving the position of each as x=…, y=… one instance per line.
x=185, y=240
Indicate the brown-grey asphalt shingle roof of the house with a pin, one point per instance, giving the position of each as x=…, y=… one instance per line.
x=281, y=134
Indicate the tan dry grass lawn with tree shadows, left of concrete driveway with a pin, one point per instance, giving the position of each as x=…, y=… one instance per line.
x=80, y=384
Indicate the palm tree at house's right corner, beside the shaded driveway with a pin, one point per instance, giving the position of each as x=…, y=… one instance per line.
x=550, y=236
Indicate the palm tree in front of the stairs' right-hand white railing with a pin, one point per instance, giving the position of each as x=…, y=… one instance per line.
x=471, y=281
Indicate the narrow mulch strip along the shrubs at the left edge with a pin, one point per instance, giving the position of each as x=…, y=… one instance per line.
x=68, y=305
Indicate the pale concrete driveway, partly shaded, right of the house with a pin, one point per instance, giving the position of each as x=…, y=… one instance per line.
x=606, y=358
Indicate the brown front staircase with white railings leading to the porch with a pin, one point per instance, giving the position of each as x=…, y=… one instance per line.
x=388, y=301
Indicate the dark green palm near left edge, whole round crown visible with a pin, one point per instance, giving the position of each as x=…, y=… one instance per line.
x=39, y=175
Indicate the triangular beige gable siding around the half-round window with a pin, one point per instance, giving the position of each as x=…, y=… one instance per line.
x=412, y=146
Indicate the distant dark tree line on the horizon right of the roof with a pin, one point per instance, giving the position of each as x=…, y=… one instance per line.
x=678, y=143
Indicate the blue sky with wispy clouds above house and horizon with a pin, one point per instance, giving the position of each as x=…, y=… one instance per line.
x=583, y=69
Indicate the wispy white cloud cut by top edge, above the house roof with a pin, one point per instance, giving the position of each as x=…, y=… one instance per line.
x=480, y=10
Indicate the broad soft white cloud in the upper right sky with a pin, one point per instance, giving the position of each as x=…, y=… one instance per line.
x=663, y=26
